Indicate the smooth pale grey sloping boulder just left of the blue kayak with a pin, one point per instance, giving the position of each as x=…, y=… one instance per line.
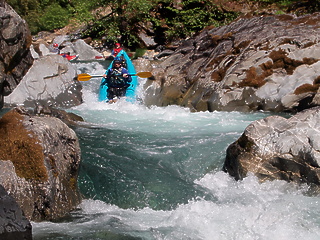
x=50, y=82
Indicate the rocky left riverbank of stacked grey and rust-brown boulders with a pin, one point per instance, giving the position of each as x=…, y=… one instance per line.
x=39, y=155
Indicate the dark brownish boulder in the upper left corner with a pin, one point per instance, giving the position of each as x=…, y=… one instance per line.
x=15, y=55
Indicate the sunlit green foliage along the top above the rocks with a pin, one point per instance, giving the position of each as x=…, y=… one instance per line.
x=123, y=19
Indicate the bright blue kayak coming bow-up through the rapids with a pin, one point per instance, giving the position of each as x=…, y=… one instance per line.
x=131, y=90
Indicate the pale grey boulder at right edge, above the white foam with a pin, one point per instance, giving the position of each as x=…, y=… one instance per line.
x=278, y=148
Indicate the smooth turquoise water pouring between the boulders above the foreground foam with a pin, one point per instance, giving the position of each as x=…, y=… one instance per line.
x=151, y=157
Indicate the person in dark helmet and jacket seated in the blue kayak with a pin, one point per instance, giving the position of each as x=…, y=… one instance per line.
x=117, y=80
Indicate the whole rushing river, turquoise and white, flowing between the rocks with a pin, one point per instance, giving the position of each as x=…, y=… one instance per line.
x=155, y=173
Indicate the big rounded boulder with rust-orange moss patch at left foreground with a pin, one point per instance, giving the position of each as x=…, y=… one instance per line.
x=39, y=163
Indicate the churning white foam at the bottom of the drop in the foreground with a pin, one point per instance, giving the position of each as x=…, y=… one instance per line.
x=242, y=210
